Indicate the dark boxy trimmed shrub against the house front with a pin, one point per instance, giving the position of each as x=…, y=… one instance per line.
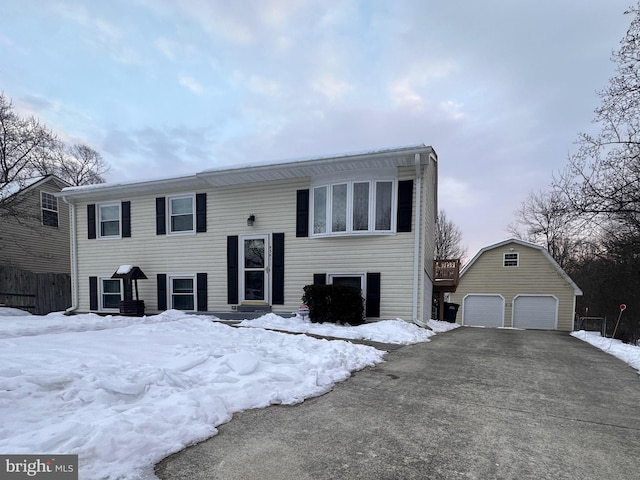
x=334, y=303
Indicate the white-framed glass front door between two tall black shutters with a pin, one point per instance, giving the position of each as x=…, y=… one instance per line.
x=254, y=259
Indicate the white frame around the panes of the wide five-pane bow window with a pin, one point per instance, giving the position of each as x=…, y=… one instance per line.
x=328, y=221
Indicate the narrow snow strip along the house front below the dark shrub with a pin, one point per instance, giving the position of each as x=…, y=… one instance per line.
x=395, y=331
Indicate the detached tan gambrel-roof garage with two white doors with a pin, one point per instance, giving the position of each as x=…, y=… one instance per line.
x=517, y=284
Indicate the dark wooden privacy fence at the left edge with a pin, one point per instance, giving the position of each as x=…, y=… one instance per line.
x=37, y=293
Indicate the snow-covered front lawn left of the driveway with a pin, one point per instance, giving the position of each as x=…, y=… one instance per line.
x=123, y=393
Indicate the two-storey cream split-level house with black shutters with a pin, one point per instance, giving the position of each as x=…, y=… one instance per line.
x=250, y=238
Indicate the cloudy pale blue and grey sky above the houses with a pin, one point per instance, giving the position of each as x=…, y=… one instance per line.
x=500, y=88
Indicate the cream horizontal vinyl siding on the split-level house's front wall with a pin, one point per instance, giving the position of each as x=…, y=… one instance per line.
x=389, y=255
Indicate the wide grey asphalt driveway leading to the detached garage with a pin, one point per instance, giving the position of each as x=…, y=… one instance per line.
x=471, y=404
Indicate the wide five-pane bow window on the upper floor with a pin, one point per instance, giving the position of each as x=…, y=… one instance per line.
x=353, y=207
